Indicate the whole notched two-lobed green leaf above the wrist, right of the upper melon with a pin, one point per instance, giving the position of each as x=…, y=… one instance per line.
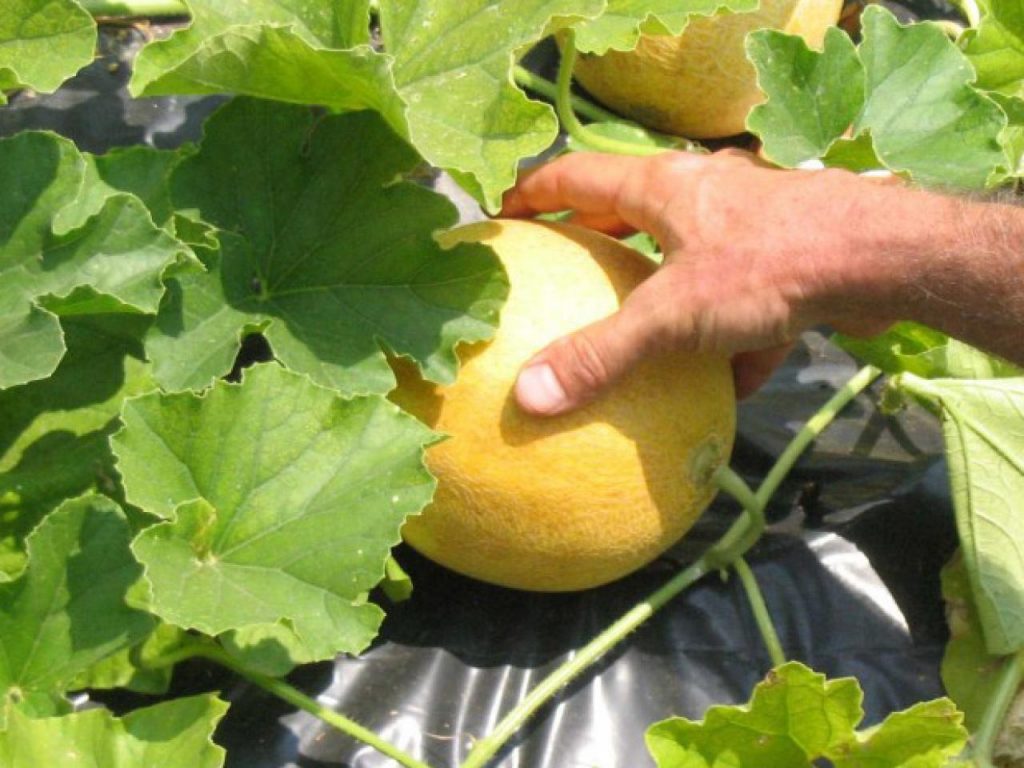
x=906, y=93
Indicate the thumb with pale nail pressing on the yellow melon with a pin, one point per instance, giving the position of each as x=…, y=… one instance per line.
x=580, y=367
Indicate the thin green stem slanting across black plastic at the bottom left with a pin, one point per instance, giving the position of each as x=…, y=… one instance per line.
x=208, y=650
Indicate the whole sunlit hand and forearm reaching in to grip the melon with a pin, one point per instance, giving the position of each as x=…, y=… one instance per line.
x=755, y=255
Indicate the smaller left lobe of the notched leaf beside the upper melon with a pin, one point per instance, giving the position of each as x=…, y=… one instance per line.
x=814, y=97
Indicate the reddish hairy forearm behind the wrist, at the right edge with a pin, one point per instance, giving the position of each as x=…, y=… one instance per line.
x=953, y=264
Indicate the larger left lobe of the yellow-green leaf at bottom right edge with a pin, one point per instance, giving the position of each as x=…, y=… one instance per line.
x=794, y=716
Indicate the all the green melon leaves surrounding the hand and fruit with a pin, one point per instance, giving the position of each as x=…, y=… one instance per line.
x=153, y=498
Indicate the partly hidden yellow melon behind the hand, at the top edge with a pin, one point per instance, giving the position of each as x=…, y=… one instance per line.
x=699, y=84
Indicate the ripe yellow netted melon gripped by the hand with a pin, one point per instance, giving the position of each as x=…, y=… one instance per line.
x=578, y=500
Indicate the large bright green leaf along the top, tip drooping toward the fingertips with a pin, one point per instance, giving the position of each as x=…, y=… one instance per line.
x=445, y=82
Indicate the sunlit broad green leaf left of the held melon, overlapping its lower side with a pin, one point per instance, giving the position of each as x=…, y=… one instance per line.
x=285, y=501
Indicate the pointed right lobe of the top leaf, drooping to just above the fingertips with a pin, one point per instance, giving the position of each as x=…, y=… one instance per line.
x=453, y=67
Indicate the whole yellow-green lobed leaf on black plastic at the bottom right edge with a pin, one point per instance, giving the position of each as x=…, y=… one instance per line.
x=796, y=717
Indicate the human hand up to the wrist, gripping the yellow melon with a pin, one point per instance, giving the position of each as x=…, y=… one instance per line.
x=753, y=257
